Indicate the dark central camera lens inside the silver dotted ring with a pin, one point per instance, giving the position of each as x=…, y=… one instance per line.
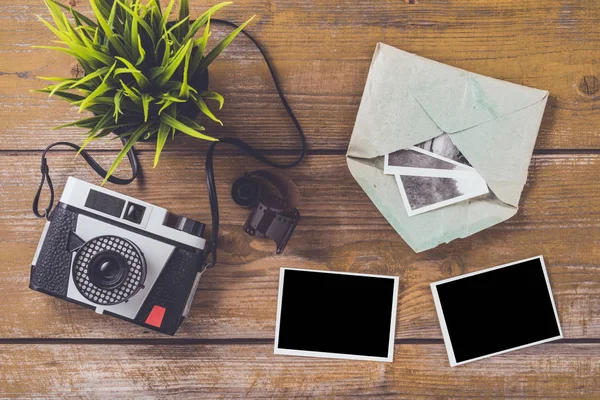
x=107, y=269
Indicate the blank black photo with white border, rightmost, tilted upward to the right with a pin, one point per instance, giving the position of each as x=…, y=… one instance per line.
x=496, y=310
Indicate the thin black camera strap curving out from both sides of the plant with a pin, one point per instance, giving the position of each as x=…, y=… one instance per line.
x=210, y=179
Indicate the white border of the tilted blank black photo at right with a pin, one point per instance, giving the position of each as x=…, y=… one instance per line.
x=442, y=320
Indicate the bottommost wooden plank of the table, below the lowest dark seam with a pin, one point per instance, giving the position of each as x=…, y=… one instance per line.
x=252, y=371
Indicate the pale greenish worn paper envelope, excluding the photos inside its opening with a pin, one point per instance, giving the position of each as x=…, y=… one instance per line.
x=410, y=99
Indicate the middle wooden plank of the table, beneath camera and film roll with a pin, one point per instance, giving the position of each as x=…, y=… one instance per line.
x=341, y=230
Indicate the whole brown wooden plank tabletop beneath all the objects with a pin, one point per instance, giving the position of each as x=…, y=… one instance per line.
x=321, y=50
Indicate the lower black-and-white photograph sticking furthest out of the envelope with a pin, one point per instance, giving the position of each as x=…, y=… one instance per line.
x=421, y=194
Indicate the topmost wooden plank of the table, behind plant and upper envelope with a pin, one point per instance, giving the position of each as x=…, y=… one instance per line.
x=322, y=56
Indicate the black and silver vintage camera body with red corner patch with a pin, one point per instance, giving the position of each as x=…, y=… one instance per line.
x=120, y=256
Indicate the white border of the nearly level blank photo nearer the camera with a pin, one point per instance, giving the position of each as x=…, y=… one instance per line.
x=320, y=354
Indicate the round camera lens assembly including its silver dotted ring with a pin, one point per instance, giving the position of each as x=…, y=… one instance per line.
x=114, y=285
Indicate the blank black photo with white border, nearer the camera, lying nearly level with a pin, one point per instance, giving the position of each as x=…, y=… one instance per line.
x=336, y=315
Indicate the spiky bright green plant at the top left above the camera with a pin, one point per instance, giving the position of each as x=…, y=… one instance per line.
x=139, y=68
